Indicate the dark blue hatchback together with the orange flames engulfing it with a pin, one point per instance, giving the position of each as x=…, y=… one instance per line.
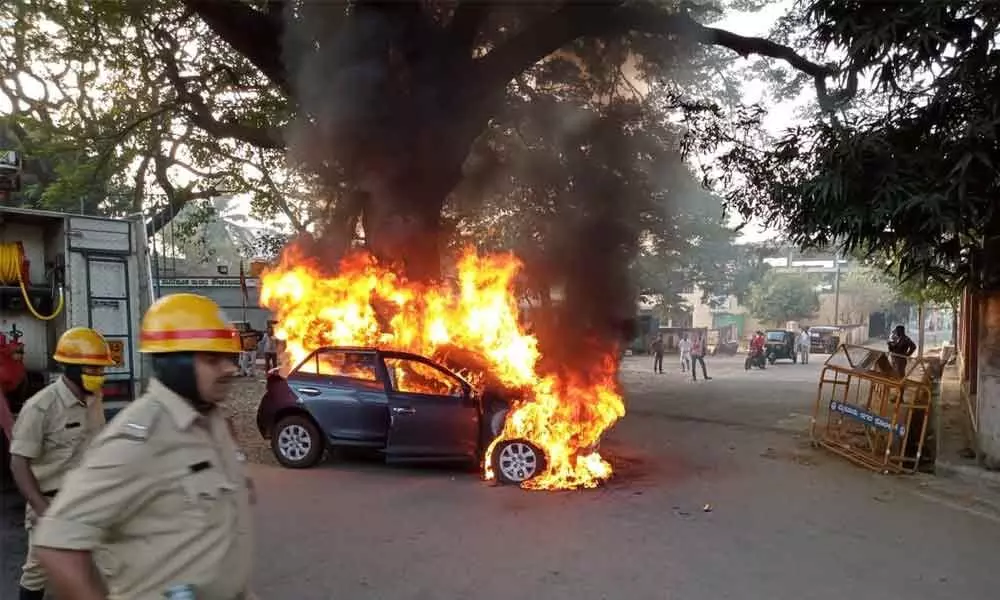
x=481, y=358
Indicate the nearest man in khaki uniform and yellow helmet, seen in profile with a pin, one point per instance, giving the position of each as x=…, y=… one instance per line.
x=163, y=488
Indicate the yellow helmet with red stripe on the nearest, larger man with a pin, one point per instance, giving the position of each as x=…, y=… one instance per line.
x=187, y=323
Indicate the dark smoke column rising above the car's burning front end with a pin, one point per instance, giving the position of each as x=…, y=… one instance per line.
x=591, y=234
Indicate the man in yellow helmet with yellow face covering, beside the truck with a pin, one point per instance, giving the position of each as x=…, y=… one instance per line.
x=53, y=430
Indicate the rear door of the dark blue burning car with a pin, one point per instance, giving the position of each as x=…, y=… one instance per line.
x=345, y=392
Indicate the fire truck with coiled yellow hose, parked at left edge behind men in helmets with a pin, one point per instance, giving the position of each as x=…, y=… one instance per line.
x=57, y=271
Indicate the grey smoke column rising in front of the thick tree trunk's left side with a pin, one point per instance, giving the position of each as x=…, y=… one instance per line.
x=347, y=126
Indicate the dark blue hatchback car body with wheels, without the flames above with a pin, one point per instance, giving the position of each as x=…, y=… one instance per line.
x=407, y=406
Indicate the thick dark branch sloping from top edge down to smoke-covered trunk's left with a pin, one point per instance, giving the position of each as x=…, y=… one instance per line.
x=254, y=34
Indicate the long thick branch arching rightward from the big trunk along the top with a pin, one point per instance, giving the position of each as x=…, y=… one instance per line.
x=613, y=17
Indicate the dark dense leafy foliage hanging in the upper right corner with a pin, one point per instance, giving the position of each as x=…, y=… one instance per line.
x=908, y=168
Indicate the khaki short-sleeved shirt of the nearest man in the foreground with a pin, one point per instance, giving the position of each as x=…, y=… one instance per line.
x=162, y=491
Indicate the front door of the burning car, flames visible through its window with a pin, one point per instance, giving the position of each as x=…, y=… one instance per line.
x=431, y=412
